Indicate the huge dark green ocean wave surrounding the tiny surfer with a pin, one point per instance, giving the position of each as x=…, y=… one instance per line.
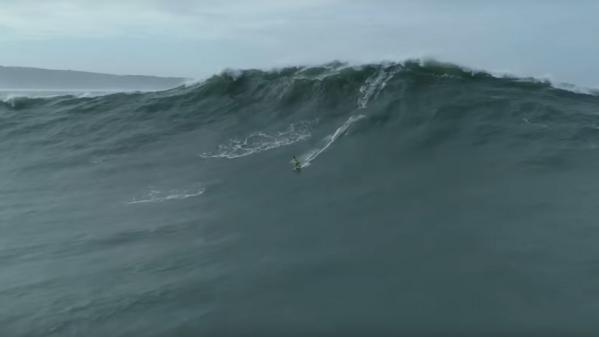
x=432, y=200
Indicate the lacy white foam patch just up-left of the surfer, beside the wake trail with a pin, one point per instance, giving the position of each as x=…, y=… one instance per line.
x=261, y=141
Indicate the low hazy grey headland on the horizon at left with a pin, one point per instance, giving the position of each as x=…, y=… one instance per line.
x=38, y=79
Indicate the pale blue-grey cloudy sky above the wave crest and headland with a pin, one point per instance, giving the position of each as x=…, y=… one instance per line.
x=558, y=39
